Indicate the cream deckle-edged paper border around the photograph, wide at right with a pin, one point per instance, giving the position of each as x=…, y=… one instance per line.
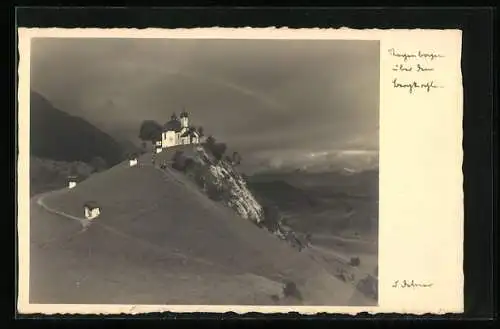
x=417, y=240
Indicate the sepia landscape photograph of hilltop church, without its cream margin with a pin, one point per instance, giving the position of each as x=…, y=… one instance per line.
x=184, y=171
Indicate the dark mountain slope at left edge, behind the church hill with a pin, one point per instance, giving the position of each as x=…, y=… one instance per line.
x=57, y=135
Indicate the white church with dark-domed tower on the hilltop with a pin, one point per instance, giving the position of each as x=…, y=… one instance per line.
x=177, y=131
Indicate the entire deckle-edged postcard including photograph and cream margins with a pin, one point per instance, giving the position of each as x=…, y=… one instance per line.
x=247, y=170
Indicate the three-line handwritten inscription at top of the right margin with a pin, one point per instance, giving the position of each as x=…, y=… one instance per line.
x=413, y=70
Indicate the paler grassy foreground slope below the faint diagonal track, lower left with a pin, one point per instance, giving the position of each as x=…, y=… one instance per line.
x=105, y=266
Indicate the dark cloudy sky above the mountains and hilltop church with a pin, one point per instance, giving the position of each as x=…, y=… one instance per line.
x=260, y=96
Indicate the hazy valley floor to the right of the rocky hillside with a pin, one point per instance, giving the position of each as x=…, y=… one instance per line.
x=339, y=214
